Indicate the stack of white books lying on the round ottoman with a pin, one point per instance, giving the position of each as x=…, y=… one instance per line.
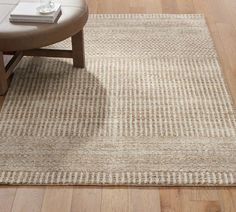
x=30, y=12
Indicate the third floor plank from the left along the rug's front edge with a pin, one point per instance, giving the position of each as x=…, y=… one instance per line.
x=57, y=199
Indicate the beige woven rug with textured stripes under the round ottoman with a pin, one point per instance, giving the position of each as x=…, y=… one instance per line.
x=151, y=108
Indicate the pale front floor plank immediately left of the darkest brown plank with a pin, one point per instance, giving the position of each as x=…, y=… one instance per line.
x=144, y=199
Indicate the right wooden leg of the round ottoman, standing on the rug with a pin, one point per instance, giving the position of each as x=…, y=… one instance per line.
x=78, y=50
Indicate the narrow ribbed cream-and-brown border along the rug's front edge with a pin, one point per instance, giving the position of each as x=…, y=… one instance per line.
x=160, y=178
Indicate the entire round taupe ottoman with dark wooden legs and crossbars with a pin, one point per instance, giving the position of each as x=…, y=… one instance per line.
x=26, y=39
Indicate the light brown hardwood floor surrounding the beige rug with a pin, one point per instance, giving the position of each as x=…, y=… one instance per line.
x=221, y=17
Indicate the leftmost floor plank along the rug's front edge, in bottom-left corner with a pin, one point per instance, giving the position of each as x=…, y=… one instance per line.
x=7, y=196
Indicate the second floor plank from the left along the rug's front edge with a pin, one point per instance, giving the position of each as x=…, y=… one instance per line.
x=28, y=199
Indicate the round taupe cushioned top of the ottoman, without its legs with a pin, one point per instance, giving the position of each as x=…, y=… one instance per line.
x=13, y=35
